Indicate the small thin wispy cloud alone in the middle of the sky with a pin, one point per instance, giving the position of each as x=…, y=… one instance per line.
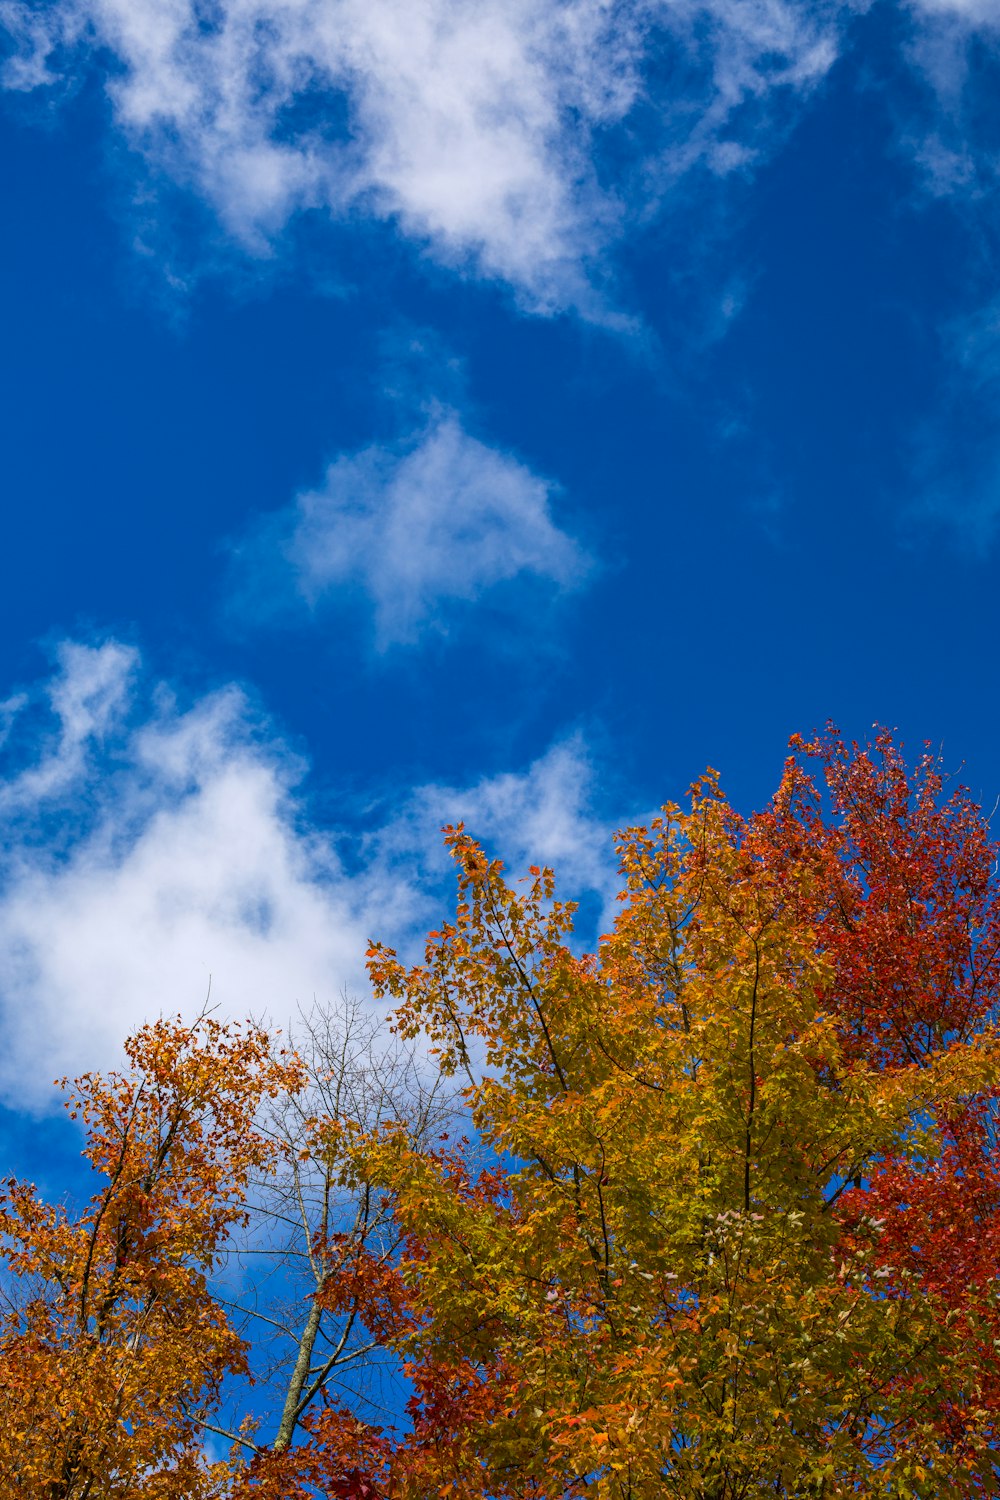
x=421, y=529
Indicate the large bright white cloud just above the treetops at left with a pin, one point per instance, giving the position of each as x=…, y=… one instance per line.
x=149, y=848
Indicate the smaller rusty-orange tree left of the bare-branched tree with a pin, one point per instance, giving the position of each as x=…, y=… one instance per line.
x=113, y=1349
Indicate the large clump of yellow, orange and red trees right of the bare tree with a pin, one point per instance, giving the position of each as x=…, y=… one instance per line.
x=729, y=1222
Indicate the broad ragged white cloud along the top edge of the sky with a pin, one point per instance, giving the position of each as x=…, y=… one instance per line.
x=475, y=125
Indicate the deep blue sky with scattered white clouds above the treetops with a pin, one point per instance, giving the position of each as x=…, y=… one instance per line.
x=487, y=410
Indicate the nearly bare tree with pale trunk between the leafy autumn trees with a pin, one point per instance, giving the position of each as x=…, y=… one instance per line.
x=316, y=1244
